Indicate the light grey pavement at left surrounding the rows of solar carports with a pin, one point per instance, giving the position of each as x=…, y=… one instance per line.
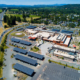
x=8, y=72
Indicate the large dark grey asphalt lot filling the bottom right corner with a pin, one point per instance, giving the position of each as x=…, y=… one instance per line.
x=52, y=71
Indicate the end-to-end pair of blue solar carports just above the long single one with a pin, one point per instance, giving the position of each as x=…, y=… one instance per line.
x=32, y=54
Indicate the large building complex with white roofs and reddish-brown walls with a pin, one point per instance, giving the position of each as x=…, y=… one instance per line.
x=62, y=39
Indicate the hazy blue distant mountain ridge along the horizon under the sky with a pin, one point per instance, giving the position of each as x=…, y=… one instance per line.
x=4, y=5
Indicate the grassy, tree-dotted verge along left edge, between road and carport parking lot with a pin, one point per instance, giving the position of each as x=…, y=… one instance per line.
x=2, y=49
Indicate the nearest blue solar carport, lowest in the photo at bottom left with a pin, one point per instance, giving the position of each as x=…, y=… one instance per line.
x=23, y=69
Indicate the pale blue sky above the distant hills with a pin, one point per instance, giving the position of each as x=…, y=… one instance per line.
x=37, y=2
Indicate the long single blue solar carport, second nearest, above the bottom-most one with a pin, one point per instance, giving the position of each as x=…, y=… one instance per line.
x=26, y=59
